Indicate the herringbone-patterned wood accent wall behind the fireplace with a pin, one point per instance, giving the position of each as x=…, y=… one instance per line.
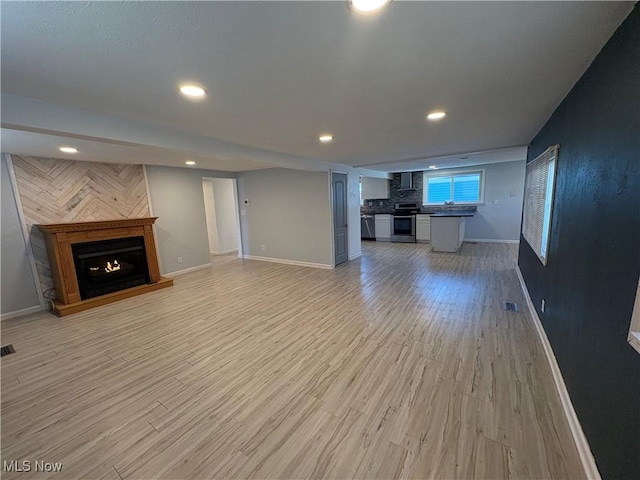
x=62, y=191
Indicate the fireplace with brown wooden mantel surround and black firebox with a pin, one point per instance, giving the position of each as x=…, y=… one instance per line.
x=94, y=263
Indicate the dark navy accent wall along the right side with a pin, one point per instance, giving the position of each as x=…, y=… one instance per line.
x=591, y=277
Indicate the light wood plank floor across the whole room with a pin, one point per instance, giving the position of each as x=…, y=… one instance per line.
x=400, y=364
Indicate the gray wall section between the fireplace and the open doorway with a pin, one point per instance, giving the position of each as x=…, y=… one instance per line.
x=176, y=198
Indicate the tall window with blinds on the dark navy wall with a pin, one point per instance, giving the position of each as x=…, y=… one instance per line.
x=538, y=202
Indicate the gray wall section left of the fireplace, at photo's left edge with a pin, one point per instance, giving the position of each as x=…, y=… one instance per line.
x=18, y=288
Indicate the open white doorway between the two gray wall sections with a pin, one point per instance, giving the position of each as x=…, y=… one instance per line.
x=221, y=213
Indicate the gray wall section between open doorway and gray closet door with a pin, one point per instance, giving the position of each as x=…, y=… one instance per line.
x=289, y=212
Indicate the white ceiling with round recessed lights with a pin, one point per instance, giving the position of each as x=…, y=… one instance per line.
x=280, y=73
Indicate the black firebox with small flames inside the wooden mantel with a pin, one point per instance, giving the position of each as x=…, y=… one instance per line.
x=110, y=265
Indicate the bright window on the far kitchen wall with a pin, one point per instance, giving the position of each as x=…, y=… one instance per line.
x=462, y=187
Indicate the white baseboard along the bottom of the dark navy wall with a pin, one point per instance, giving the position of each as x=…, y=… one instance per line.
x=582, y=444
